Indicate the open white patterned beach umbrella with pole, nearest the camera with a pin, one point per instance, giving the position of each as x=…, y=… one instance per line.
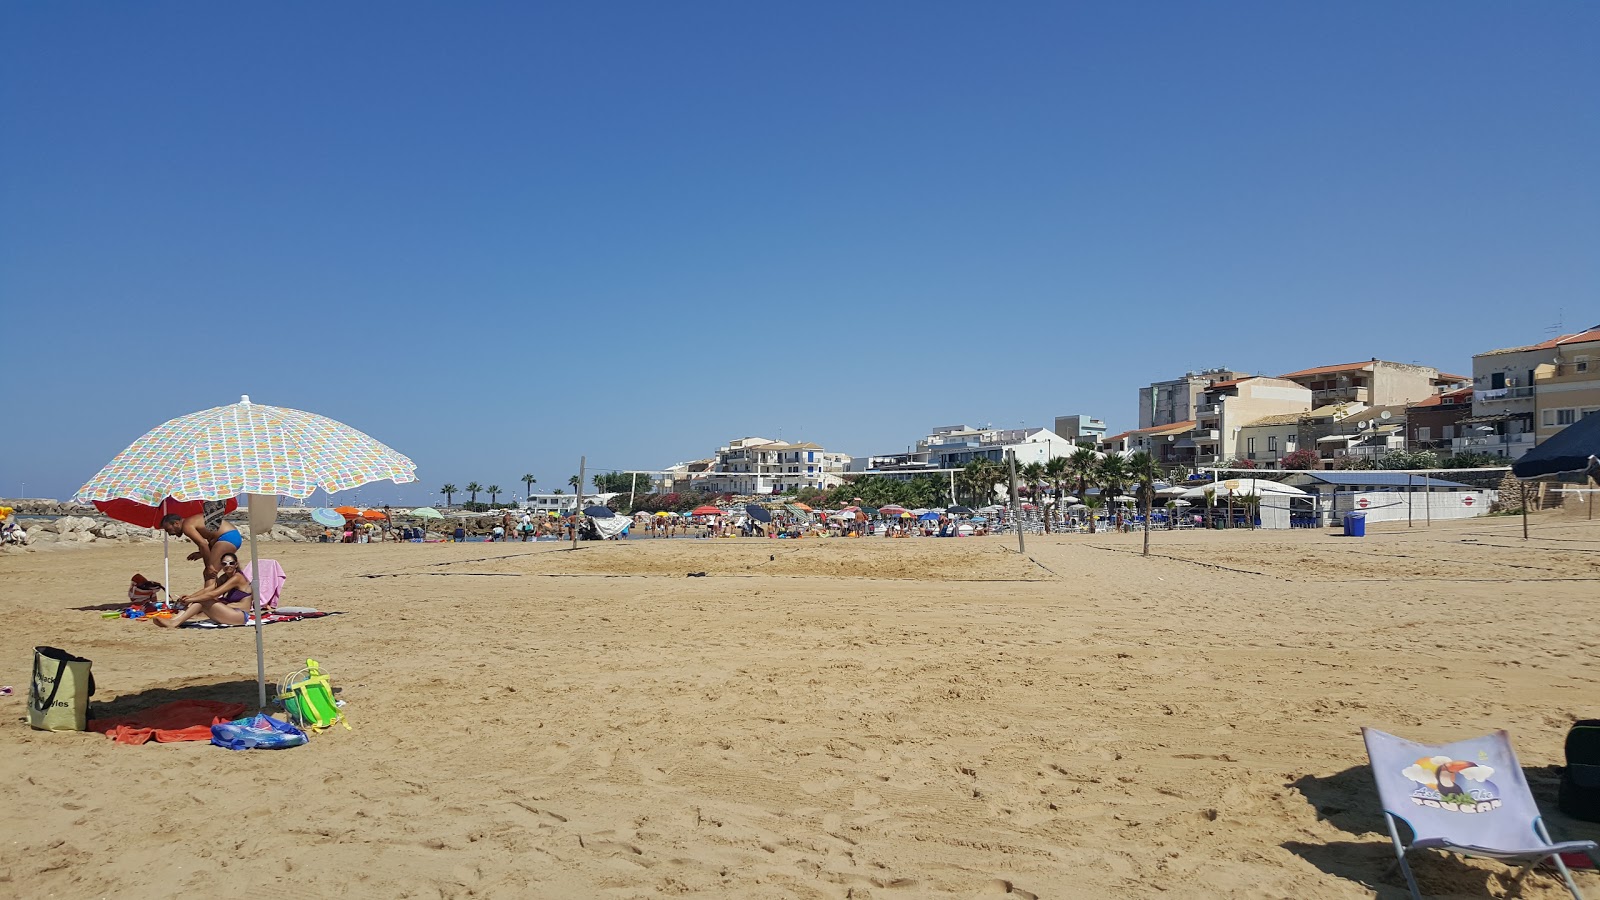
x=244, y=448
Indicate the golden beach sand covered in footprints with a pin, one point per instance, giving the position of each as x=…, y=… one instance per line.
x=838, y=718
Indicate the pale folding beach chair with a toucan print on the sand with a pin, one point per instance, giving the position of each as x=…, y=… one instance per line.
x=1465, y=798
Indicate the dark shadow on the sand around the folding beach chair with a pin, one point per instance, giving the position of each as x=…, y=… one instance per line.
x=1350, y=803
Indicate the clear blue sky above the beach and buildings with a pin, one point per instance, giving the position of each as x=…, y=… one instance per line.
x=503, y=236
